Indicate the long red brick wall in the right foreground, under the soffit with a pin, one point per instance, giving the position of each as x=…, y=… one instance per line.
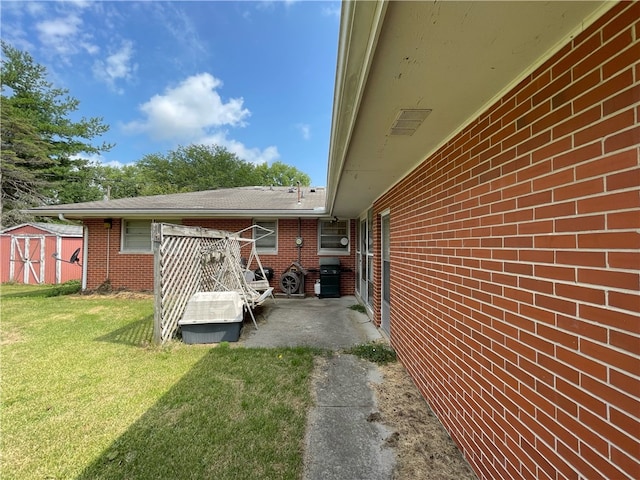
x=515, y=268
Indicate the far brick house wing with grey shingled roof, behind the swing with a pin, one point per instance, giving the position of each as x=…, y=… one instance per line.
x=118, y=232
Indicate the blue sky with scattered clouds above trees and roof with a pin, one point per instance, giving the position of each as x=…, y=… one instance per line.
x=254, y=77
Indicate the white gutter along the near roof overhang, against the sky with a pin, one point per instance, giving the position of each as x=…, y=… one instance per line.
x=360, y=26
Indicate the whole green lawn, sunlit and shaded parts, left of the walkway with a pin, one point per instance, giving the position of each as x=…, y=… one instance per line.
x=85, y=396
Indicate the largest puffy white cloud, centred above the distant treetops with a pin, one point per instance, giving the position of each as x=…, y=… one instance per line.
x=189, y=111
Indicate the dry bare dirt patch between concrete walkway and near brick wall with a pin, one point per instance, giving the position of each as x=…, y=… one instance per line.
x=424, y=449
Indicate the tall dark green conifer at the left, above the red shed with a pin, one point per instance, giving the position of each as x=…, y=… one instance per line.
x=40, y=143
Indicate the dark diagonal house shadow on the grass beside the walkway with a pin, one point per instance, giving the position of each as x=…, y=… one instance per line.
x=237, y=414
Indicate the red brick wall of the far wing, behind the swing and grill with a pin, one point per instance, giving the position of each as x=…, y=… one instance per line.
x=135, y=271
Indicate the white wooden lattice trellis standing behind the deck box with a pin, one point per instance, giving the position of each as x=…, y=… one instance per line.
x=195, y=259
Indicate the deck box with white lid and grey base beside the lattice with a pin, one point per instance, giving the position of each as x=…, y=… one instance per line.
x=212, y=317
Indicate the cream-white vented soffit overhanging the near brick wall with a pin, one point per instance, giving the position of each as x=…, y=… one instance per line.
x=449, y=58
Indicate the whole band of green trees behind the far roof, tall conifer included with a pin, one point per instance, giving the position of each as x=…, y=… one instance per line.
x=44, y=152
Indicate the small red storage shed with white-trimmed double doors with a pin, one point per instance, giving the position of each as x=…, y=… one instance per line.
x=35, y=253
